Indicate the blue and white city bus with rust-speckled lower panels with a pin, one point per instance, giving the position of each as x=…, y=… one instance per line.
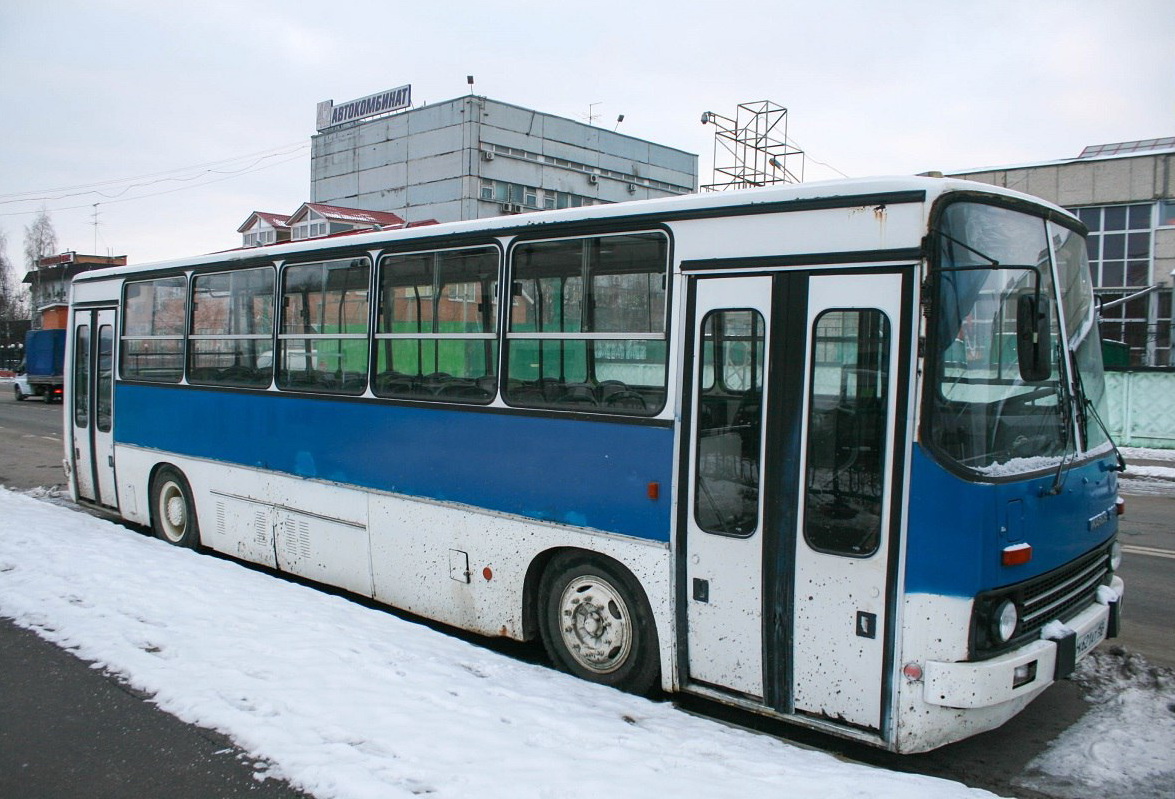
x=828, y=453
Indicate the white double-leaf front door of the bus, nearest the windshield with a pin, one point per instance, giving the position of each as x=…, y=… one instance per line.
x=785, y=560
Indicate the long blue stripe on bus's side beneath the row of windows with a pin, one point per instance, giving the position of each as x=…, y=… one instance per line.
x=592, y=474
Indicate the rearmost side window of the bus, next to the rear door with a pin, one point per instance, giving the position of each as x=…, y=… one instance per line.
x=153, y=330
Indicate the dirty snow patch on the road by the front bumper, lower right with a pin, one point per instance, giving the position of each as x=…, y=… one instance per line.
x=1125, y=747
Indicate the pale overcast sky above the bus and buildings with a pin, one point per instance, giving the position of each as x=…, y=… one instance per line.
x=179, y=119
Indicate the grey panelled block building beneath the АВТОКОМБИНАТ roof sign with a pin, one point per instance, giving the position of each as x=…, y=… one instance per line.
x=474, y=158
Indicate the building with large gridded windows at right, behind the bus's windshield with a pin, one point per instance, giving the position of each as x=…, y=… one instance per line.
x=1125, y=193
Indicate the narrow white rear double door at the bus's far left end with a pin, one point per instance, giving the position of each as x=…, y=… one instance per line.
x=92, y=405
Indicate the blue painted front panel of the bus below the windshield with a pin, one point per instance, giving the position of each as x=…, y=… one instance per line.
x=958, y=531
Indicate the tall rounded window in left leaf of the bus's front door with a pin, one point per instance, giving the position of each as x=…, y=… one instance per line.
x=730, y=424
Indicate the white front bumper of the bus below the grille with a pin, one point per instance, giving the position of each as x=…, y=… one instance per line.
x=1029, y=669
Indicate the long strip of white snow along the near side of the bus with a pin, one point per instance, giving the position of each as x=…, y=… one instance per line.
x=345, y=701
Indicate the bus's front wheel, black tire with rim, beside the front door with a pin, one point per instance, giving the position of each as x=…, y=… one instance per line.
x=596, y=623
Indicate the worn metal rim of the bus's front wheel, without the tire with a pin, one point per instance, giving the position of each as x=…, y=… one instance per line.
x=595, y=625
